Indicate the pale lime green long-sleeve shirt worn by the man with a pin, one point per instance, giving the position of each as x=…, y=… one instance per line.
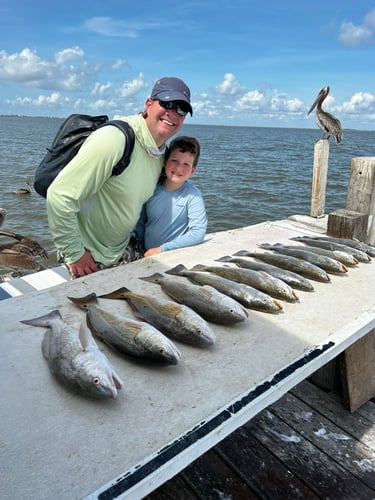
x=88, y=208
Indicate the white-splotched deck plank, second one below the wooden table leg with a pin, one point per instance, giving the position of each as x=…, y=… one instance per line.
x=355, y=457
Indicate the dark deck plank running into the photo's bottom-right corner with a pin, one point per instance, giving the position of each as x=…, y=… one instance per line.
x=324, y=477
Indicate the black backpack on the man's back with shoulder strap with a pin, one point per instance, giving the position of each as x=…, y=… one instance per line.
x=69, y=138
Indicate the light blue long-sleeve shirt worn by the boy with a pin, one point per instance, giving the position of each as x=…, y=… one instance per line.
x=173, y=219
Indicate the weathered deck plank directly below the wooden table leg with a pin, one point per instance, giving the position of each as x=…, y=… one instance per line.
x=357, y=425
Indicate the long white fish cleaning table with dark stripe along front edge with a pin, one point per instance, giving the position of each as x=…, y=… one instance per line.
x=56, y=444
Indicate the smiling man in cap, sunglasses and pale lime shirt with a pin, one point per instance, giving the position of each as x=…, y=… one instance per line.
x=91, y=214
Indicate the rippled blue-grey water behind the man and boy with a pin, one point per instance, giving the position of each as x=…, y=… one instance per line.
x=246, y=174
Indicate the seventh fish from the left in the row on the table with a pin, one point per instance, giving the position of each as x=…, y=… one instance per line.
x=292, y=279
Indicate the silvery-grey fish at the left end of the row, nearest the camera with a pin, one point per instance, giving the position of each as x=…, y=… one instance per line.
x=74, y=357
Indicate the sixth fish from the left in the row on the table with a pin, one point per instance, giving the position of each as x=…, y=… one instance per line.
x=257, y=279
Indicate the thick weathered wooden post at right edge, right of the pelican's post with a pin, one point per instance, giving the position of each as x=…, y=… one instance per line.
x=361, y=191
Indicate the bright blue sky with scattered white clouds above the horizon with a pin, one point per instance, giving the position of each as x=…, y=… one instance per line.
x=255, y=63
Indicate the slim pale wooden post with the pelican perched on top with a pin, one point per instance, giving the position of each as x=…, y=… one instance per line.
x=319, y=183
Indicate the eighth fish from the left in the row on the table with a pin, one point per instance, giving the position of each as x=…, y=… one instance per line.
x=299, y=266
